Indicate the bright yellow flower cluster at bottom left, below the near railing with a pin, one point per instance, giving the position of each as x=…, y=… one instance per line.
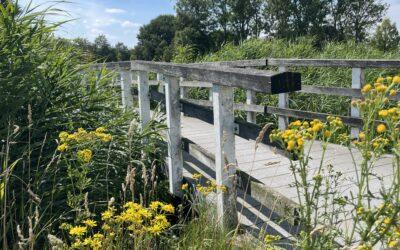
x=134, y=217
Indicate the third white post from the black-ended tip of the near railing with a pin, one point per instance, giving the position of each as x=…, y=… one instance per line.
x=144, y=99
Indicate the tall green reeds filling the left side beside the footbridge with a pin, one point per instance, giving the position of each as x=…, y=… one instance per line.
x=43, y=92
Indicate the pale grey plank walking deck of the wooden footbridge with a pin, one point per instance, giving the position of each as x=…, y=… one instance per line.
x=272, y=168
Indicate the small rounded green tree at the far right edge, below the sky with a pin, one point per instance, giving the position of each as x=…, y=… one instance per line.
x=386, y=37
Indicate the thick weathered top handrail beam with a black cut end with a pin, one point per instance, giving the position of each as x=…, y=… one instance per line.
x=257, y=80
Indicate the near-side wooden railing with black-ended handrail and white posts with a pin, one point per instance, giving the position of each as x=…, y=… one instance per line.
x=222, y=80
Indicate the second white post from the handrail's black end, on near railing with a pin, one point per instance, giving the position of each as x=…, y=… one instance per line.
x=175, y=160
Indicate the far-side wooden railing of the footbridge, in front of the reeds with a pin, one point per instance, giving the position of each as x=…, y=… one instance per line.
x=283, y=111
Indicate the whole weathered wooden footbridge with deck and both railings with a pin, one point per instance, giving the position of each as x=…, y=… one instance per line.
x=204, y=136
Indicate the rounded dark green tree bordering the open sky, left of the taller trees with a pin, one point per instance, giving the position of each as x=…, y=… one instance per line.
x=155, y=39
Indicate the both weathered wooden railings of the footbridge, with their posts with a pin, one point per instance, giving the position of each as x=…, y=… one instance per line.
x=221, y=78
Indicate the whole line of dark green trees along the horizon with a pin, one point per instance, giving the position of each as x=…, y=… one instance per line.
x=205, y=25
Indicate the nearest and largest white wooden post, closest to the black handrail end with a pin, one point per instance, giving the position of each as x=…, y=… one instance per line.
x=225, y=162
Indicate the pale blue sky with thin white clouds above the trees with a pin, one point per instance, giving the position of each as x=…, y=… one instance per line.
x=120, y=20
